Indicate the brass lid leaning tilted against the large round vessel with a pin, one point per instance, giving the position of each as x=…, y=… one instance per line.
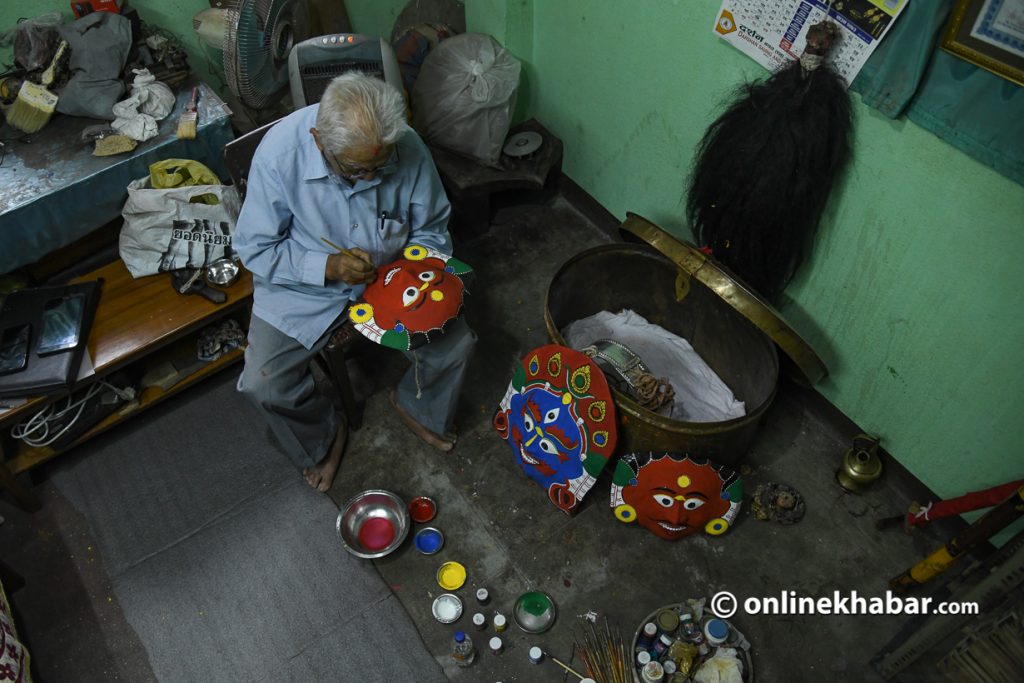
x=733, y=291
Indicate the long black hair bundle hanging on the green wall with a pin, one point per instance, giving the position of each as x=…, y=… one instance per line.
x=765, y=168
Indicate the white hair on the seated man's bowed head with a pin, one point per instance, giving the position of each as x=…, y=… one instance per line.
x=358, y=110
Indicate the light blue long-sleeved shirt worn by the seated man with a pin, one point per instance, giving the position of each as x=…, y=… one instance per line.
x=293, y=201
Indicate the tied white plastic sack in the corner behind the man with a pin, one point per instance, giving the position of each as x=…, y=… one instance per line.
x=465, y=95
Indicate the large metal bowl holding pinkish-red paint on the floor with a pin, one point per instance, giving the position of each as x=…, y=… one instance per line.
x=373, y=524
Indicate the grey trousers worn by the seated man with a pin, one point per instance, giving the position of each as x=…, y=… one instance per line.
x=277, y=379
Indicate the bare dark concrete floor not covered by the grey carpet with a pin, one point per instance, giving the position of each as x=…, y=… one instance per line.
x=501, y=527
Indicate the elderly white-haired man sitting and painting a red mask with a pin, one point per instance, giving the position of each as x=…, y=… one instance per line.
x=350, y=172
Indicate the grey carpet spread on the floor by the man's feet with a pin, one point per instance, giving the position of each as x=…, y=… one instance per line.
x=226, y=564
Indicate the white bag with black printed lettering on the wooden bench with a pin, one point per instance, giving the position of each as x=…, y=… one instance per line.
x=165, y=231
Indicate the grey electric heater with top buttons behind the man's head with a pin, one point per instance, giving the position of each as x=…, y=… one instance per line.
x=315, y=62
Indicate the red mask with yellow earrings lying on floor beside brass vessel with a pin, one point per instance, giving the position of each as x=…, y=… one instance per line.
x=674, y=495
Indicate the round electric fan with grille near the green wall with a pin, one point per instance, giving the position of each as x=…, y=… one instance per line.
x=257, y=37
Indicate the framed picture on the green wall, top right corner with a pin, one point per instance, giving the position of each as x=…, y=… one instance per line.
x=989, y=34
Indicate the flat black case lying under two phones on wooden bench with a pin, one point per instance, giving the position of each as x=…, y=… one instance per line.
x=55, y=373
